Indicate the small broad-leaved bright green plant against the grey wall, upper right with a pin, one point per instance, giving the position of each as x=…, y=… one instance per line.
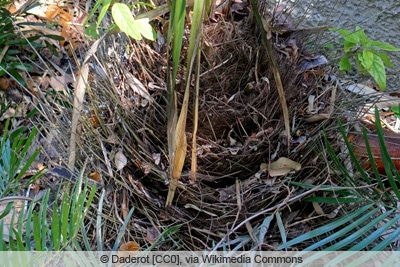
x=366, y=53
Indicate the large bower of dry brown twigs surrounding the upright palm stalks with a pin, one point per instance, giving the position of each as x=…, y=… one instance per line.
x=240, y=127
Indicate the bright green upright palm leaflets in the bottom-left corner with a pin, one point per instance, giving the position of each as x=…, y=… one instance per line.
x=54, y=227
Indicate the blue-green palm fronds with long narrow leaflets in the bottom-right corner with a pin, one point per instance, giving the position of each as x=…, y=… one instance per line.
x=372, y=223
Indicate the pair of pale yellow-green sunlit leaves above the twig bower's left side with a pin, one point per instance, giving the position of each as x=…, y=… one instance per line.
x=134, y=28
